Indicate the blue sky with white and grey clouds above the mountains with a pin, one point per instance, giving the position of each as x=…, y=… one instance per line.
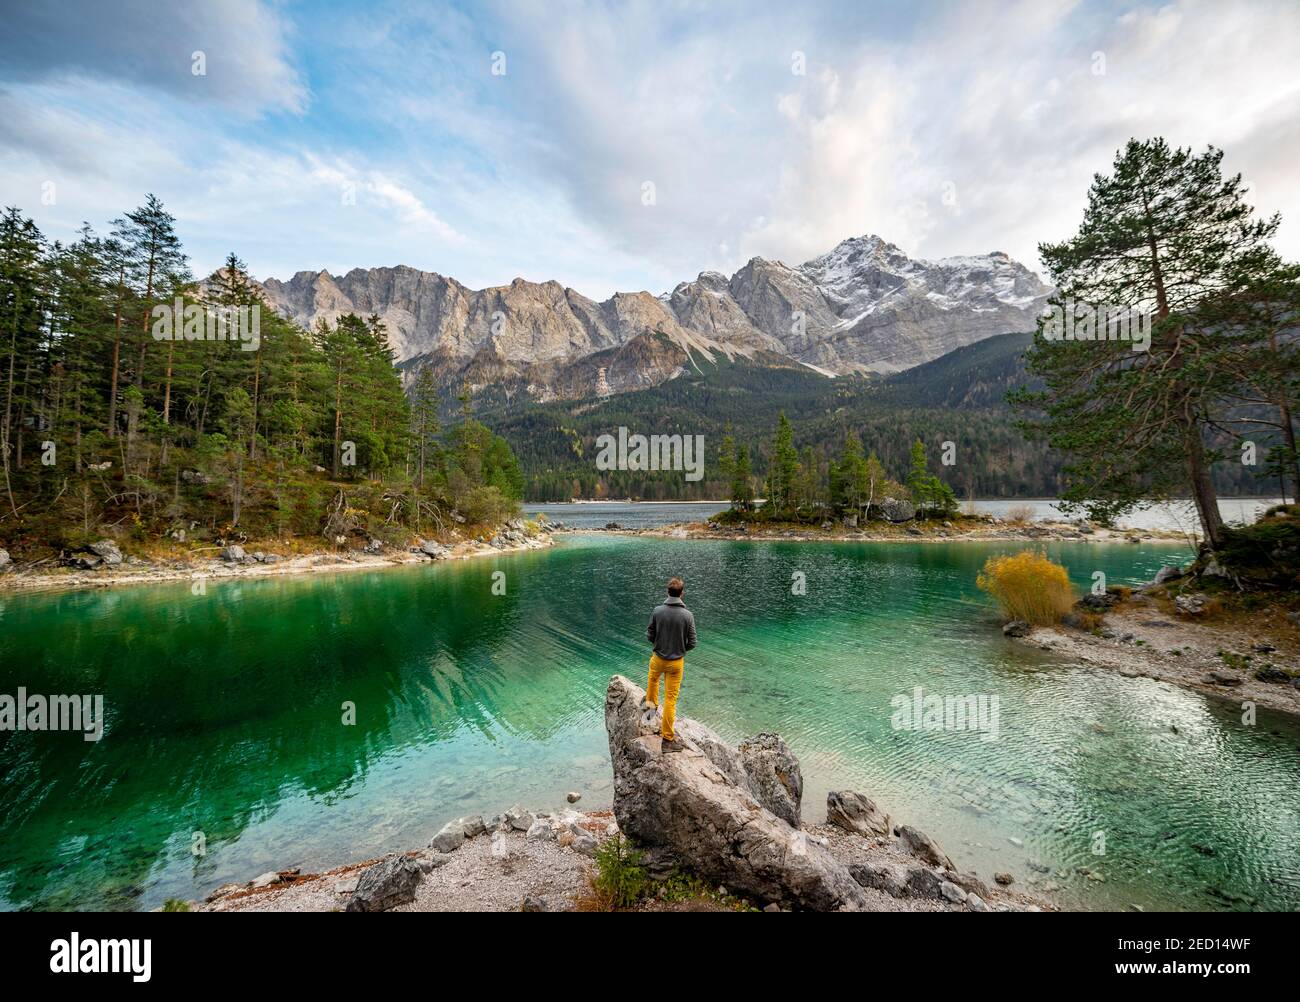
x=944, y=128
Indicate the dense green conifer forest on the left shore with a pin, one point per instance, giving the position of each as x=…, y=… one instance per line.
x=140, y=401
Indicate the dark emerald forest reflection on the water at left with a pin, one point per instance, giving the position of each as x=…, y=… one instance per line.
x=222, y=706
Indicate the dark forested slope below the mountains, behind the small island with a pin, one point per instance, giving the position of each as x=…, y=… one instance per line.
x=959, y=398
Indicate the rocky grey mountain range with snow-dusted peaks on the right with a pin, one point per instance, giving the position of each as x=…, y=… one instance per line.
x=865, y=307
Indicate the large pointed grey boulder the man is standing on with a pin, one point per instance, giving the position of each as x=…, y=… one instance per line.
x=687, y=806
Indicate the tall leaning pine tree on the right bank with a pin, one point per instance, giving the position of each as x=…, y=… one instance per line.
x=1165, y=233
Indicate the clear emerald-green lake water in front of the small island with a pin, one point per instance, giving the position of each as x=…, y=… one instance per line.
x=224, y=718
